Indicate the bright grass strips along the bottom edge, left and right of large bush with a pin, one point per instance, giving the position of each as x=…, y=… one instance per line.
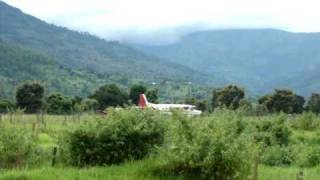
x=140, y=170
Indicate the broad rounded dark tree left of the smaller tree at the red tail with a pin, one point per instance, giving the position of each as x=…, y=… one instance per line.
x=109, y=95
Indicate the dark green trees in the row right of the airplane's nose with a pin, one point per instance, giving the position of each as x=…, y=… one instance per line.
x=281, y=100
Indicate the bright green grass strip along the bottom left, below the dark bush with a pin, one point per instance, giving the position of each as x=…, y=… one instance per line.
x=132, y=170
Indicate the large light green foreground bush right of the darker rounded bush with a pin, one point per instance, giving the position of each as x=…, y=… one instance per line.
x=208, y=148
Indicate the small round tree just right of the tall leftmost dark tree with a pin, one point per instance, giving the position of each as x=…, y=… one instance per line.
x=58, y=104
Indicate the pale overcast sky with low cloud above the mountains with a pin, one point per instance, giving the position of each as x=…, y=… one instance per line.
x=151, y=19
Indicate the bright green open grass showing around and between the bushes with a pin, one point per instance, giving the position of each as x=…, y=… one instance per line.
x=47, y=128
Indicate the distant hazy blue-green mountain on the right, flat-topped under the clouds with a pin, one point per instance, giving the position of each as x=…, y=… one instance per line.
x=260, y=59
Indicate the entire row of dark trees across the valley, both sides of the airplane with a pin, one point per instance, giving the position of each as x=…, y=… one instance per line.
x=31, y=98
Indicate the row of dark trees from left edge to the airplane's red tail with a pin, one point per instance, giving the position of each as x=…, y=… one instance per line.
x=31, y=98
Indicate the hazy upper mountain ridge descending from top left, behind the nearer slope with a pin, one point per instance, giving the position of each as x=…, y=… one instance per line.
x=83, y=51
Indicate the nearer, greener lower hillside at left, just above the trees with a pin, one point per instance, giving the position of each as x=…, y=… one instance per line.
x=18, y=65
